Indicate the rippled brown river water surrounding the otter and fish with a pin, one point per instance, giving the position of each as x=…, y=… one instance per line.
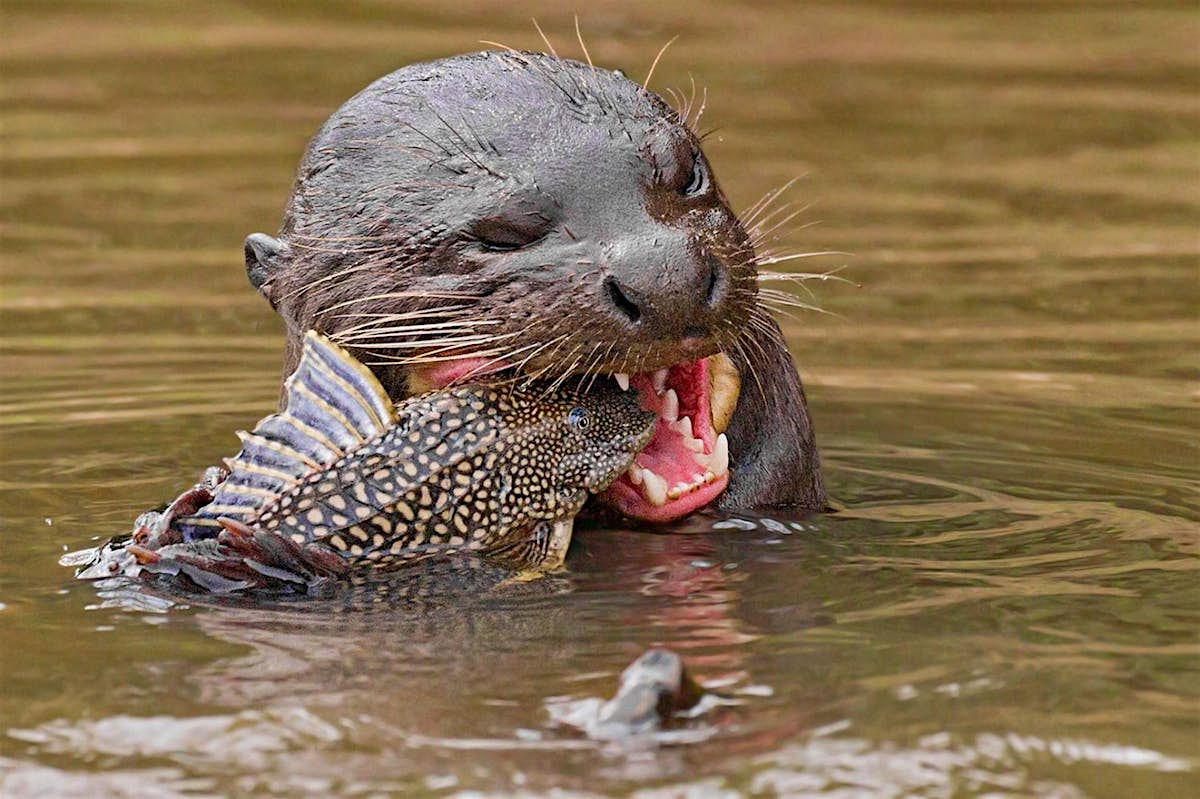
x=1007, y=408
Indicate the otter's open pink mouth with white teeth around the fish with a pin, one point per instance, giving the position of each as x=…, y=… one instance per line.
x=686, y=465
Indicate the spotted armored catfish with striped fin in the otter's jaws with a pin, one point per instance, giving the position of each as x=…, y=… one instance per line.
x=343, y=479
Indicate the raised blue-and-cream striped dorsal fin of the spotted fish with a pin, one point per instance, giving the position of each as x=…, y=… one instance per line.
x=334, y=406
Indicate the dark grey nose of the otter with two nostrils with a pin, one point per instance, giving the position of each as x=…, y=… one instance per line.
x=675, y=301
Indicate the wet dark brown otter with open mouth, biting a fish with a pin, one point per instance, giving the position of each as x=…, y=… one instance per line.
x=523, y=214
